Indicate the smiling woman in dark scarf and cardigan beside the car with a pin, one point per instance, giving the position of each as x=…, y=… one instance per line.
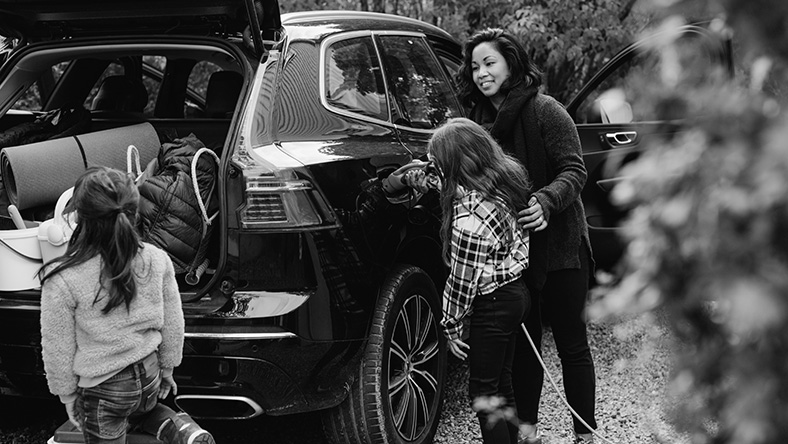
x=500, y=82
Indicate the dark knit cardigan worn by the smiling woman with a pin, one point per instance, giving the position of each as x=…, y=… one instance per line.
x=538, y=131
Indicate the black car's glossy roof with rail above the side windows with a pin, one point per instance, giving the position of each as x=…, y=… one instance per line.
x=314, y=25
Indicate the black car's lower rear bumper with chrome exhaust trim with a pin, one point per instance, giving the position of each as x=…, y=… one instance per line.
x=239, y=378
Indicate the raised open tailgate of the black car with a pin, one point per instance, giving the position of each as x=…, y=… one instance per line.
x=52, y=19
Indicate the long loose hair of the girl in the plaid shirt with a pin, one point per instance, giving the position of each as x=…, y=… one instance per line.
x=469, y=158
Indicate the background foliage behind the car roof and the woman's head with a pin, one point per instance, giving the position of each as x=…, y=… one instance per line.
x=569, y=39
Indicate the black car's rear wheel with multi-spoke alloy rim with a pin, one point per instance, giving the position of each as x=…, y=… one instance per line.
x=398, y=394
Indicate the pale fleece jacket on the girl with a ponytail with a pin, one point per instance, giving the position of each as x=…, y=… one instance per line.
x=79, y=341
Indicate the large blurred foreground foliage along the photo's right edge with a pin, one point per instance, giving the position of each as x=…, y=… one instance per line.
x=708, y=231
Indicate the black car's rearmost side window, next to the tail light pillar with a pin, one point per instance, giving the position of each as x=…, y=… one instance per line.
x=353, y=79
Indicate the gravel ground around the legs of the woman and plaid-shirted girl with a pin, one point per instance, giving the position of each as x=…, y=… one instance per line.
x=632, y=360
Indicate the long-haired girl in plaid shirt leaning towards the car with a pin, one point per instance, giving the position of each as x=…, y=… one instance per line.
x=481, y=190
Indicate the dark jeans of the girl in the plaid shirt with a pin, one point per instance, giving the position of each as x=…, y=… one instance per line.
x=494, y=323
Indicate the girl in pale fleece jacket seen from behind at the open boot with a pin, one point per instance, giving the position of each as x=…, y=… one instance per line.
x=111, y=320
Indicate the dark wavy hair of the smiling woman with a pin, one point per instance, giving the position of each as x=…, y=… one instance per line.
x=521, y=66
